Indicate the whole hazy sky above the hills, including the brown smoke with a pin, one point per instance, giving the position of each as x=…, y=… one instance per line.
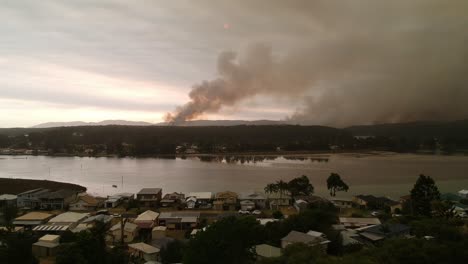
x=327, y=62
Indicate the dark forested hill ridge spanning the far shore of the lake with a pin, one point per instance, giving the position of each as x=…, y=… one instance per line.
x=446, y=137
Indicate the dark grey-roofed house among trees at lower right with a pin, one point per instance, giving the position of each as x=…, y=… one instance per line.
x=380, y=232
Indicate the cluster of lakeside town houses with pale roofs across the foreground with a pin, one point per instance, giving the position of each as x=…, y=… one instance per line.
x=145, y=223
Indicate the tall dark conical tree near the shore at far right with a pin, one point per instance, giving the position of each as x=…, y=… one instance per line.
x=423, y=193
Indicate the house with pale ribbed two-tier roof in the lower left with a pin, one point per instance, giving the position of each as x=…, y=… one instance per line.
x=62, y=222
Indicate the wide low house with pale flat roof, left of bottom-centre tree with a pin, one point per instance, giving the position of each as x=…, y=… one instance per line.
x=179, y=220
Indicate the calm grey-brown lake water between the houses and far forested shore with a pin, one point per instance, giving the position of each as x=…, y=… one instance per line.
x=385, y=174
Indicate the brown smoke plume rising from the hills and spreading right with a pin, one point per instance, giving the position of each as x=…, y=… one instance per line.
x=387, y=62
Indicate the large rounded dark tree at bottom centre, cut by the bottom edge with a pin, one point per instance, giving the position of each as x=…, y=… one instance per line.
x=229, y=241
